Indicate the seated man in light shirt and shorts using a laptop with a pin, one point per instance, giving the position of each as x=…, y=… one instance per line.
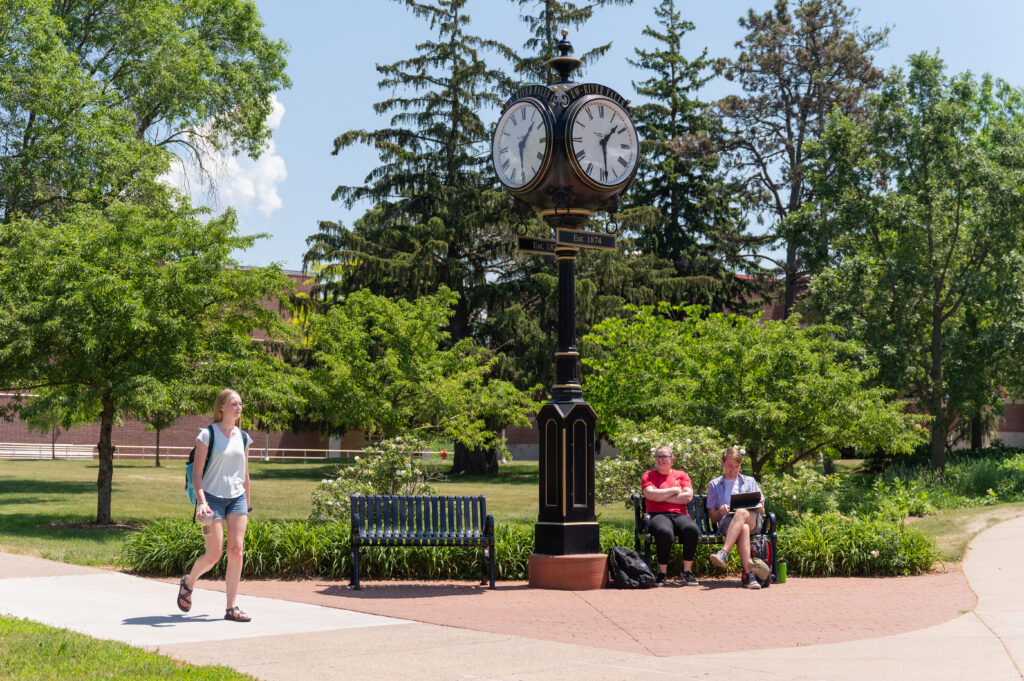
x=736, y=528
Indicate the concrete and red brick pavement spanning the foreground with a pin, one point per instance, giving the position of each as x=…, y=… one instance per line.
x=431, y=635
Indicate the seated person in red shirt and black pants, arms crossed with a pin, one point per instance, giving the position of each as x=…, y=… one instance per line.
x=668, y=492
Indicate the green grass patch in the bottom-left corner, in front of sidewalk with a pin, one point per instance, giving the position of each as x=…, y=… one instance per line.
x=33, y=652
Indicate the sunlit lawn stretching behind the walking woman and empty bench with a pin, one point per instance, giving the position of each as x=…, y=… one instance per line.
x=48, y=507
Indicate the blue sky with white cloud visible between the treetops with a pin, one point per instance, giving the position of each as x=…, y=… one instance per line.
x=335, y=46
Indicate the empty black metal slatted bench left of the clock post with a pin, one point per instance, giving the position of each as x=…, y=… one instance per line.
x=421, y=521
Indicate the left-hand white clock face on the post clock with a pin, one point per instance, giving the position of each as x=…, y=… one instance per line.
x=522, y=149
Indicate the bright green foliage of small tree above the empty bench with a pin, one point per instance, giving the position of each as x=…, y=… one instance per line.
x=387, y=367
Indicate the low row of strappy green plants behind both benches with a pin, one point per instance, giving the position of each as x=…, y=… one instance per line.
x=817, y=546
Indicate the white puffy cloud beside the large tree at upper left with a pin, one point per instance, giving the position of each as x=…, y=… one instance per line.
x=238, y=182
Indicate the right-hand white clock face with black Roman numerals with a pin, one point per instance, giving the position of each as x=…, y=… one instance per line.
x=603, y=143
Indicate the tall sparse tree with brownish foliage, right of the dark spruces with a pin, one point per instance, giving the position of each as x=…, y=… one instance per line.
x=795, y=68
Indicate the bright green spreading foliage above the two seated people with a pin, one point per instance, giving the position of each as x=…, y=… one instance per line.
x=784, y=393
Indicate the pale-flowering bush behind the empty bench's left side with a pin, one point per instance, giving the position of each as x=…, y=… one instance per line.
x=388, y=467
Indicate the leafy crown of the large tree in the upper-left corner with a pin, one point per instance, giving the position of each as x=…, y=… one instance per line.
x=98, y=96
